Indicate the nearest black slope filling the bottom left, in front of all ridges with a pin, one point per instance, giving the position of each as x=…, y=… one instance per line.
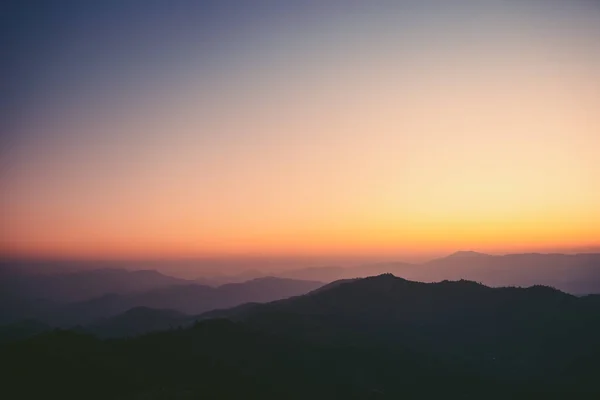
x=221, y=359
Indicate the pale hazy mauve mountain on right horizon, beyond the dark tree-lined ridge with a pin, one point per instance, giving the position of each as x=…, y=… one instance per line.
x=577, y=273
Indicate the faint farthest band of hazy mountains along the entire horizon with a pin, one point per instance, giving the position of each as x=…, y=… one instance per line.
x=573, y=273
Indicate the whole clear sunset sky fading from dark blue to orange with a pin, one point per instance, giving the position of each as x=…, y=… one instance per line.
x=141, y=129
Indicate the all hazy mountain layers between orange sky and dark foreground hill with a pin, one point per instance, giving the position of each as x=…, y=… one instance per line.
x=85, y=297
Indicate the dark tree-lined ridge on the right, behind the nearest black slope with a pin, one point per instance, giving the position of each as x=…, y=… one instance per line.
x=505, y=328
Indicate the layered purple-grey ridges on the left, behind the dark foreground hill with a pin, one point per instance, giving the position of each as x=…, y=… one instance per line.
x=101, y=294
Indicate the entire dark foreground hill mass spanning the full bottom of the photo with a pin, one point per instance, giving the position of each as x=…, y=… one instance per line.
x=379, y=337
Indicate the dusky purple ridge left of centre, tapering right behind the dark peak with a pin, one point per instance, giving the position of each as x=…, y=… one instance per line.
x=190, y=299
